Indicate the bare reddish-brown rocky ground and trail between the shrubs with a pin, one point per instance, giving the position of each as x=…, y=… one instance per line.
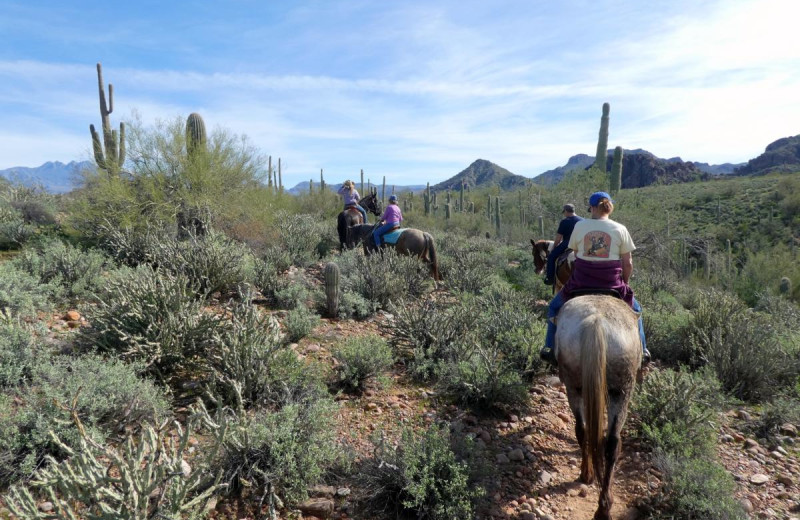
x=530, y=456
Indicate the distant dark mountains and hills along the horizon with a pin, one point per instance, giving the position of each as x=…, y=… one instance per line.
x=639, y=168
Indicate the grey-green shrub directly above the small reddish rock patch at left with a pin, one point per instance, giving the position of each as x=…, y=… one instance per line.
x=77, y=271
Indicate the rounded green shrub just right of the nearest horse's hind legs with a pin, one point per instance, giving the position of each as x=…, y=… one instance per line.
x=675, y=409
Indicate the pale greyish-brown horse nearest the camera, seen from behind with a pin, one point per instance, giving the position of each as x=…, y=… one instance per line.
x=599, y=354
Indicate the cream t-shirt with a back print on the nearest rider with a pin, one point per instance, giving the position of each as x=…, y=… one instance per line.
x=599, y=240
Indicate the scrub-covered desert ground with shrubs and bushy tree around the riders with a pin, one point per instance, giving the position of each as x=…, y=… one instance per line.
x=180, y=337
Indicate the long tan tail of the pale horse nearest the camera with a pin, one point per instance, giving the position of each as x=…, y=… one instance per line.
x=594, y=345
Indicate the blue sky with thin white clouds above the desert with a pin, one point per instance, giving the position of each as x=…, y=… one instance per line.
x=413, y=90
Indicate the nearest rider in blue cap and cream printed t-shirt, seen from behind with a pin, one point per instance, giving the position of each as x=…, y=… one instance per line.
x=603, y=261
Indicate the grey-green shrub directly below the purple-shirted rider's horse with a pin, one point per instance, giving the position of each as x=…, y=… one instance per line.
x=385, y=277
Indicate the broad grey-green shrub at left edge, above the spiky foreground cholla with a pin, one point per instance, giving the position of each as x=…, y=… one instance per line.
x=107, y=395
